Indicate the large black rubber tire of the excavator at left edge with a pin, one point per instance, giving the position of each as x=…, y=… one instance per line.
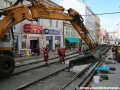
x=6, y=59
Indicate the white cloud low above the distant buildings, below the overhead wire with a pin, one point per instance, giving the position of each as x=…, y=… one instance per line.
x=110, y=24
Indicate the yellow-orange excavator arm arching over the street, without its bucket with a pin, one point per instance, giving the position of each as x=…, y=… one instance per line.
x=20, y=12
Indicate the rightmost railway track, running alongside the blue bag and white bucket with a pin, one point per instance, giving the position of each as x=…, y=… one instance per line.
x=85, y=79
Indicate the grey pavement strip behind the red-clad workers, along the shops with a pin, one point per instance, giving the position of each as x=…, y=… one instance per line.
x=52, y=54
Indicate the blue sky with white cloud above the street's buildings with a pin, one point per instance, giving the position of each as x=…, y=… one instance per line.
x=107, y=21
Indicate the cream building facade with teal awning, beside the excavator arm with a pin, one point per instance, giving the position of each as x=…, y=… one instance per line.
x=70, y=36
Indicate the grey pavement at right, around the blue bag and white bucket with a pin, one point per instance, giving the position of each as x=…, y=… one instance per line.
x=113, y=82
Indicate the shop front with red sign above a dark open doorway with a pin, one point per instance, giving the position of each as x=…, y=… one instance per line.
x=33, y=38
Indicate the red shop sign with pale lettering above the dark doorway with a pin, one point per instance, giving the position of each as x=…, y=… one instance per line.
x=34, y=29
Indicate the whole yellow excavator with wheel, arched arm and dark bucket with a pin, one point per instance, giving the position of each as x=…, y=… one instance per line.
x=19, y=12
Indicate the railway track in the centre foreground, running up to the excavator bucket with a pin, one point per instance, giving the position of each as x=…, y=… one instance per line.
x=58, y=78
